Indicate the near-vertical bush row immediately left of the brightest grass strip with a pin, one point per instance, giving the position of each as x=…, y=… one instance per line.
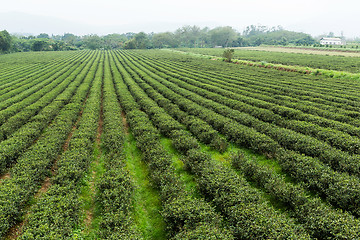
x=115, y=187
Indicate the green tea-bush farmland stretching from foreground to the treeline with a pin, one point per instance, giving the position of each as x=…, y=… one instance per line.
x=153, y=144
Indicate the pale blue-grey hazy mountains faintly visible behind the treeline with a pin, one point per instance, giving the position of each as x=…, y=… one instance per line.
x=29, y=24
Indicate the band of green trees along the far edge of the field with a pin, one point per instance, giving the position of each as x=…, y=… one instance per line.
x=186, y=36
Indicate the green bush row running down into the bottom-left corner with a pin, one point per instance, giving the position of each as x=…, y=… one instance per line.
x=35, y=164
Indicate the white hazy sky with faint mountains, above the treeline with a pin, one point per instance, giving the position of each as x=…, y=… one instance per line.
x=109, y=16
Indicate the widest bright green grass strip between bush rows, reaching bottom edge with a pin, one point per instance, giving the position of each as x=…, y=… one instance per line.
x=147, y=203
